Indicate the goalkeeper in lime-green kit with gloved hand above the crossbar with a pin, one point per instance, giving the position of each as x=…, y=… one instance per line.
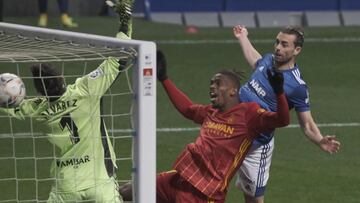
x=85, y=167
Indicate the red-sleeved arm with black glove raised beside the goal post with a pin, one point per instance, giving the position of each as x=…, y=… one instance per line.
x=181, y=102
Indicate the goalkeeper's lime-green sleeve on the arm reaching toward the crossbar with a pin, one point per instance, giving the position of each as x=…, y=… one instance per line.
x=99, y=80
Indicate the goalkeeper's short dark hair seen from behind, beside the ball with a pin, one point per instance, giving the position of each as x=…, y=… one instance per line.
x=48, y=81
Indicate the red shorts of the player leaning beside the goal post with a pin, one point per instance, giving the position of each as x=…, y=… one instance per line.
x=171, y=187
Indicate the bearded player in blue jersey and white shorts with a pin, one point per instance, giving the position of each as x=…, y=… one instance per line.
x=254, y=173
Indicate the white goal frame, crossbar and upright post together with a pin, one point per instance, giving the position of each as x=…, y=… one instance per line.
x=144, y=97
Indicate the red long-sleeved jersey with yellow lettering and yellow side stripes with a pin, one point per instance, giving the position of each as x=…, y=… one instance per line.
x=225, y=138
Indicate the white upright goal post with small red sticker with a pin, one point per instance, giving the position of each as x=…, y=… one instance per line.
x=145, y=125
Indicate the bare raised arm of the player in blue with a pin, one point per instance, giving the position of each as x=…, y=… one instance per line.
x=250, y=53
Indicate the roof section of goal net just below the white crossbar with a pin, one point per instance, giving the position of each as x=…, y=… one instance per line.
x=18, y=48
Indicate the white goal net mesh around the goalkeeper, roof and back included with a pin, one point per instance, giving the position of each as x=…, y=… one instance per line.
x=25, y=153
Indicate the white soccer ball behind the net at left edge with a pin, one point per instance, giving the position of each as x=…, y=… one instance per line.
x=12, y=90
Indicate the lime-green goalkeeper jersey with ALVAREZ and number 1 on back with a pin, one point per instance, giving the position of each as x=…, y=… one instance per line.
x=73, y=123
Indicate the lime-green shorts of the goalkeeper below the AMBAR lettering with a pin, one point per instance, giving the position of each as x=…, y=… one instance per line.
x=107, y=193
